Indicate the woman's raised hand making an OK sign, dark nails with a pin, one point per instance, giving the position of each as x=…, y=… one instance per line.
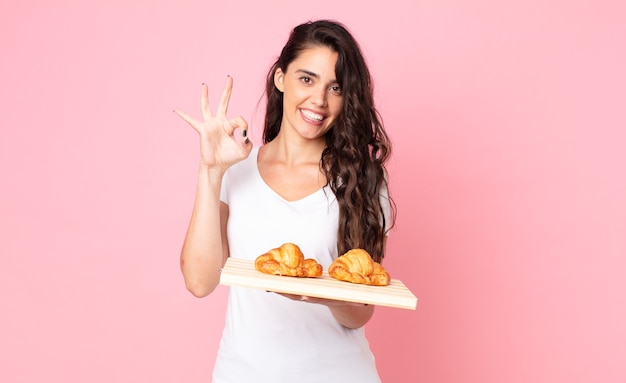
x=219, y=148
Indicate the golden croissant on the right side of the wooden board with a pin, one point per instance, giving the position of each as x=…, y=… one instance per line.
x=357, y=266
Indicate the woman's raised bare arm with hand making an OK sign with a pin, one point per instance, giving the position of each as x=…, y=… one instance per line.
x=205, y=248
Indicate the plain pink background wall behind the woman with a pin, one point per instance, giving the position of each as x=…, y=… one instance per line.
x=508, y=120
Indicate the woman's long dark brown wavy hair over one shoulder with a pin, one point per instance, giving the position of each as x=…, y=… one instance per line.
x=357, y=145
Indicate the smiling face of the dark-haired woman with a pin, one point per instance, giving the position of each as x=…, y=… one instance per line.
x=311, y=95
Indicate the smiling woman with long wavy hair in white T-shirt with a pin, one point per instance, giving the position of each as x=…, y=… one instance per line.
x=319, y=182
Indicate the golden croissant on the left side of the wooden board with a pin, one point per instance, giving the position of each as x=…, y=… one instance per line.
x=287, y=260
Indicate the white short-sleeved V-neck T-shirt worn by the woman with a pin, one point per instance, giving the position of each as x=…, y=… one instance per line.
x=267, y=337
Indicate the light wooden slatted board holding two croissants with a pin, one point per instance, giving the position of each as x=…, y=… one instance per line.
x=241, y=272
